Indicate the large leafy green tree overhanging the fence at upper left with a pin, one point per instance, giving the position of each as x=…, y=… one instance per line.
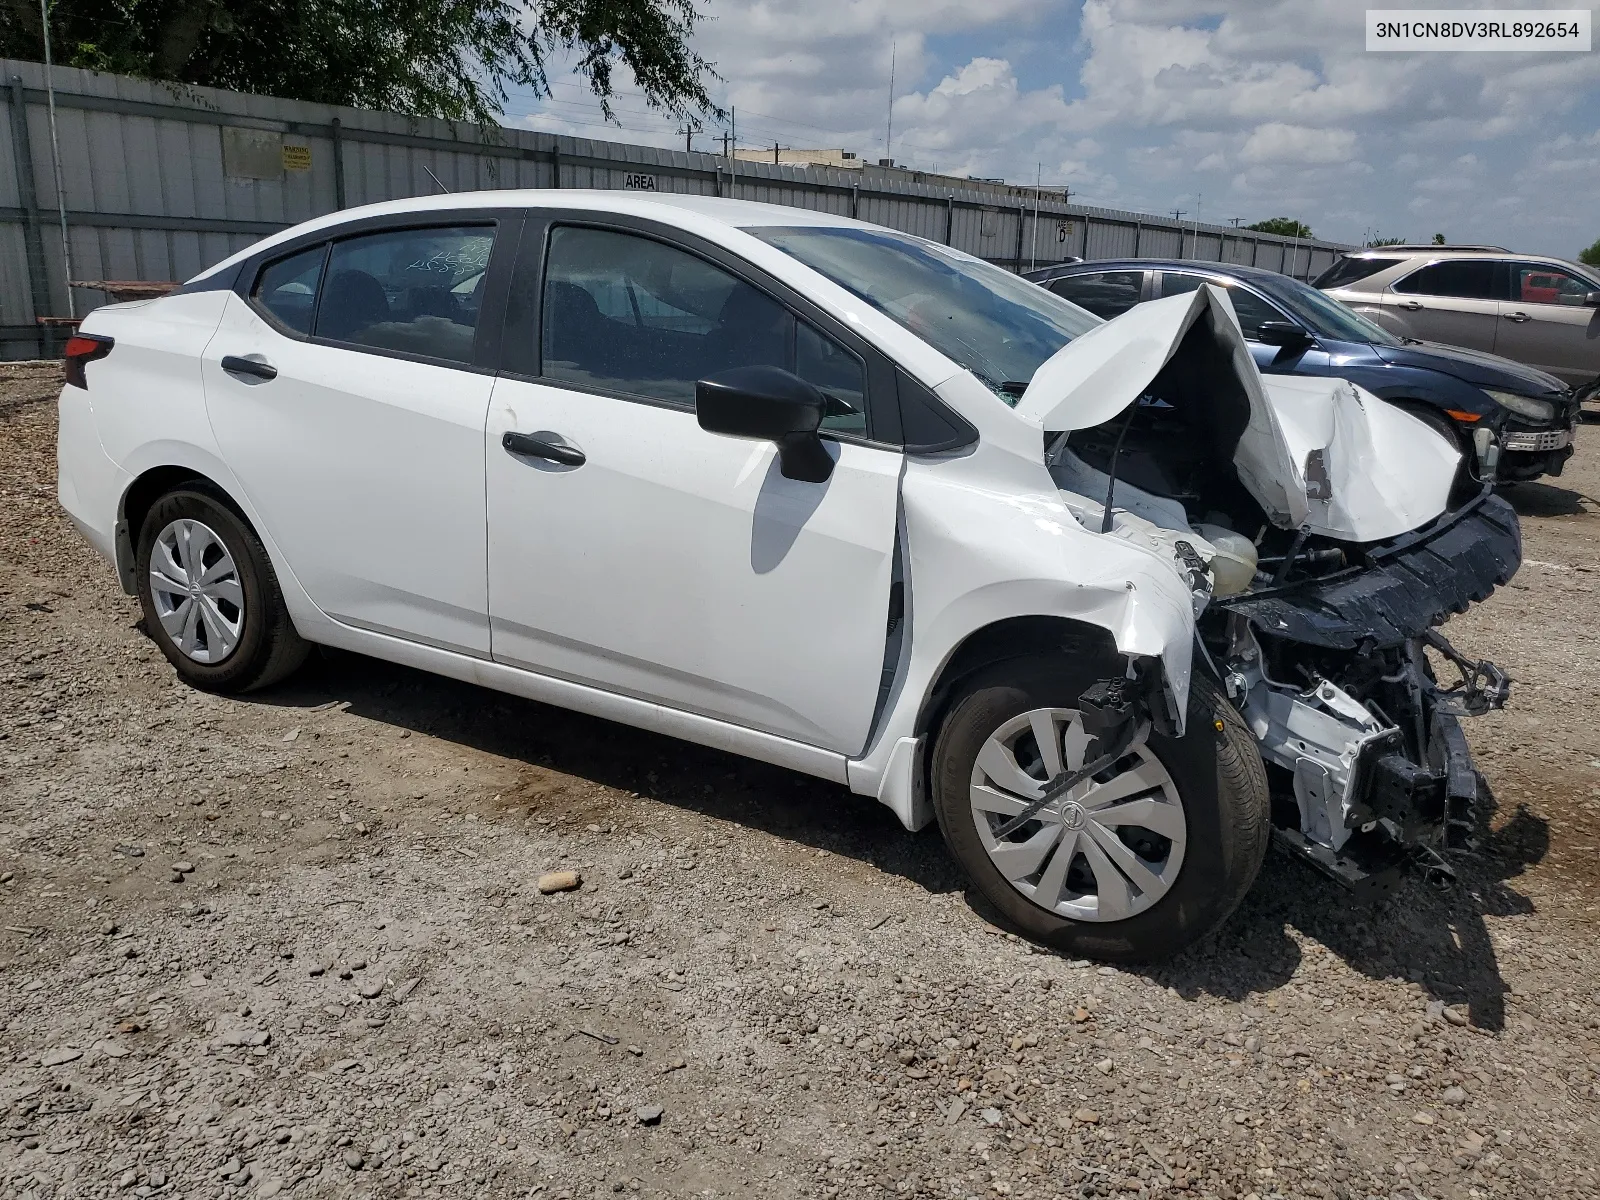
x=425, y=58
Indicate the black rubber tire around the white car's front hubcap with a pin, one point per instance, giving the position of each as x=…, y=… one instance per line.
x=1222, y=786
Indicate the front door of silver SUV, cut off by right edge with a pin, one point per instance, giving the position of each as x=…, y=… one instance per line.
x=1548, y=326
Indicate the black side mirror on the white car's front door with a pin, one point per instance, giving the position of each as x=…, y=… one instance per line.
x=772, y=406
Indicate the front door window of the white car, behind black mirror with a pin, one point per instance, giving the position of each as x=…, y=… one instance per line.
x=636, y=316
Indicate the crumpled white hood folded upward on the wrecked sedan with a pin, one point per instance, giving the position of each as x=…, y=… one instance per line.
x=1316, y=454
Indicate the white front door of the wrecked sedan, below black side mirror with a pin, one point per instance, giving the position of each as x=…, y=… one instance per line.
x=633, y=551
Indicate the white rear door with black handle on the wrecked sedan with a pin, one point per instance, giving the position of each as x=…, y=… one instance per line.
x=346, y=393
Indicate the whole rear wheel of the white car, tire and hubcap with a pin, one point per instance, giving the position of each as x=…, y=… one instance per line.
x=210, y=598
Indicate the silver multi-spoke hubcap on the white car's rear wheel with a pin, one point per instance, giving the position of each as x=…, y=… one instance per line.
x=199, y=599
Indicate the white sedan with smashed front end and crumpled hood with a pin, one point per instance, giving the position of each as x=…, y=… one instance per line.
x=1098, y=598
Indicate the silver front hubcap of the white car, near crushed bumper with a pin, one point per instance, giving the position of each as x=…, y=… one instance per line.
x=1110, y=850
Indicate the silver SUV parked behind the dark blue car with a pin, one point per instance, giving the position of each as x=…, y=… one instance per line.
x=1534, y=310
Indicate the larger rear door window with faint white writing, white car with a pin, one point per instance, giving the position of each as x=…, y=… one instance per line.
x=410, y=290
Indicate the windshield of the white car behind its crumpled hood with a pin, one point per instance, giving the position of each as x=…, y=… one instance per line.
x=994, y=324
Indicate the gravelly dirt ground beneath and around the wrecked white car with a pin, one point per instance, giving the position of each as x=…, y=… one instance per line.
x=351, y=985
